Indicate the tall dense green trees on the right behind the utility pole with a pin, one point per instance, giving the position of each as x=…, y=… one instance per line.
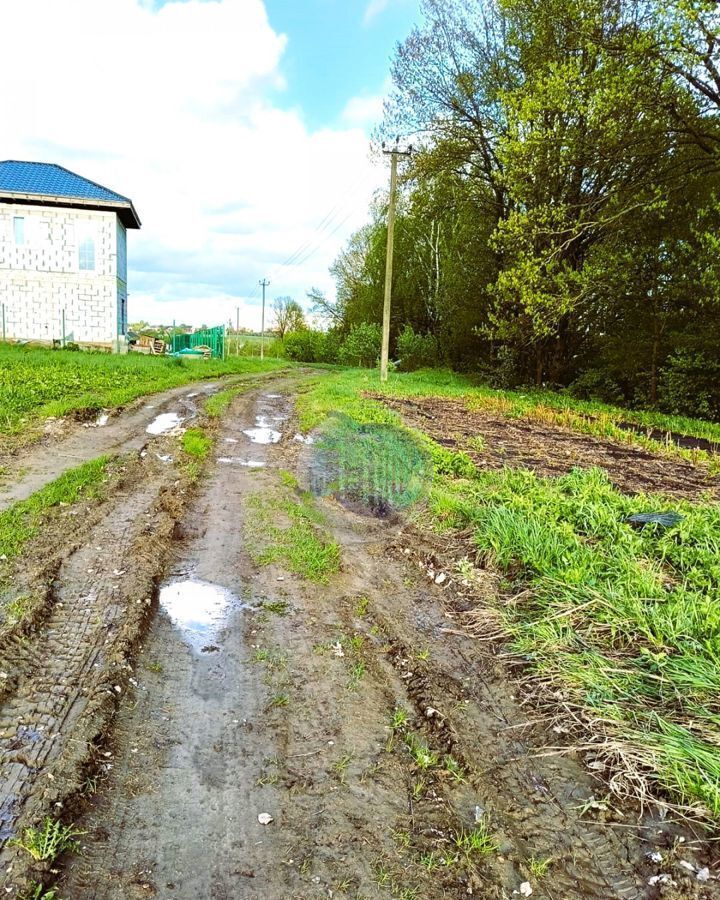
x=559, y=222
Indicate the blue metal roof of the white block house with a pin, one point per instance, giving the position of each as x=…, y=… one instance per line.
x=49, y=181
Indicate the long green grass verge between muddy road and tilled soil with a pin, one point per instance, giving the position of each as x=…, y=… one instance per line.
x=618, y=630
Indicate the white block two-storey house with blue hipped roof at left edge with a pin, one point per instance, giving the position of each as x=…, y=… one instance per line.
x=63, y=256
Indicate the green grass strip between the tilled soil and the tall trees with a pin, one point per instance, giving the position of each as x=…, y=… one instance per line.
x=546, y=407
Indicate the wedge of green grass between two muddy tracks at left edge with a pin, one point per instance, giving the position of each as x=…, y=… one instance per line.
x=22, y=521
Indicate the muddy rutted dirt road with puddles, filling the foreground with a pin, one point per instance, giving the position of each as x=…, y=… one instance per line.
x=375, y=739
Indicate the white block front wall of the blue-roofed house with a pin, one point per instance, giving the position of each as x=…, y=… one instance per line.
x=42, y=277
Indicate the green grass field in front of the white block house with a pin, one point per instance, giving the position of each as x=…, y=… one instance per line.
x=38, y=383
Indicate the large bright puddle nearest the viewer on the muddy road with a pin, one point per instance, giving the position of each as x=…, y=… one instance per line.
x=199, y=609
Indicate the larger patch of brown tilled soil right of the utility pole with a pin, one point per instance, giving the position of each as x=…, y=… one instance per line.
x=551, y=450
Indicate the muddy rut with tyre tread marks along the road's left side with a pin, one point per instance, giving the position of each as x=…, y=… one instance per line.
x=63, y=687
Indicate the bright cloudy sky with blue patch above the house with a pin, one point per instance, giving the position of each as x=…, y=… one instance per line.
x=239, y=128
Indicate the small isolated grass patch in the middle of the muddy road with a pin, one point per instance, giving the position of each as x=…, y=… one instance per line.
x=285, y=527
